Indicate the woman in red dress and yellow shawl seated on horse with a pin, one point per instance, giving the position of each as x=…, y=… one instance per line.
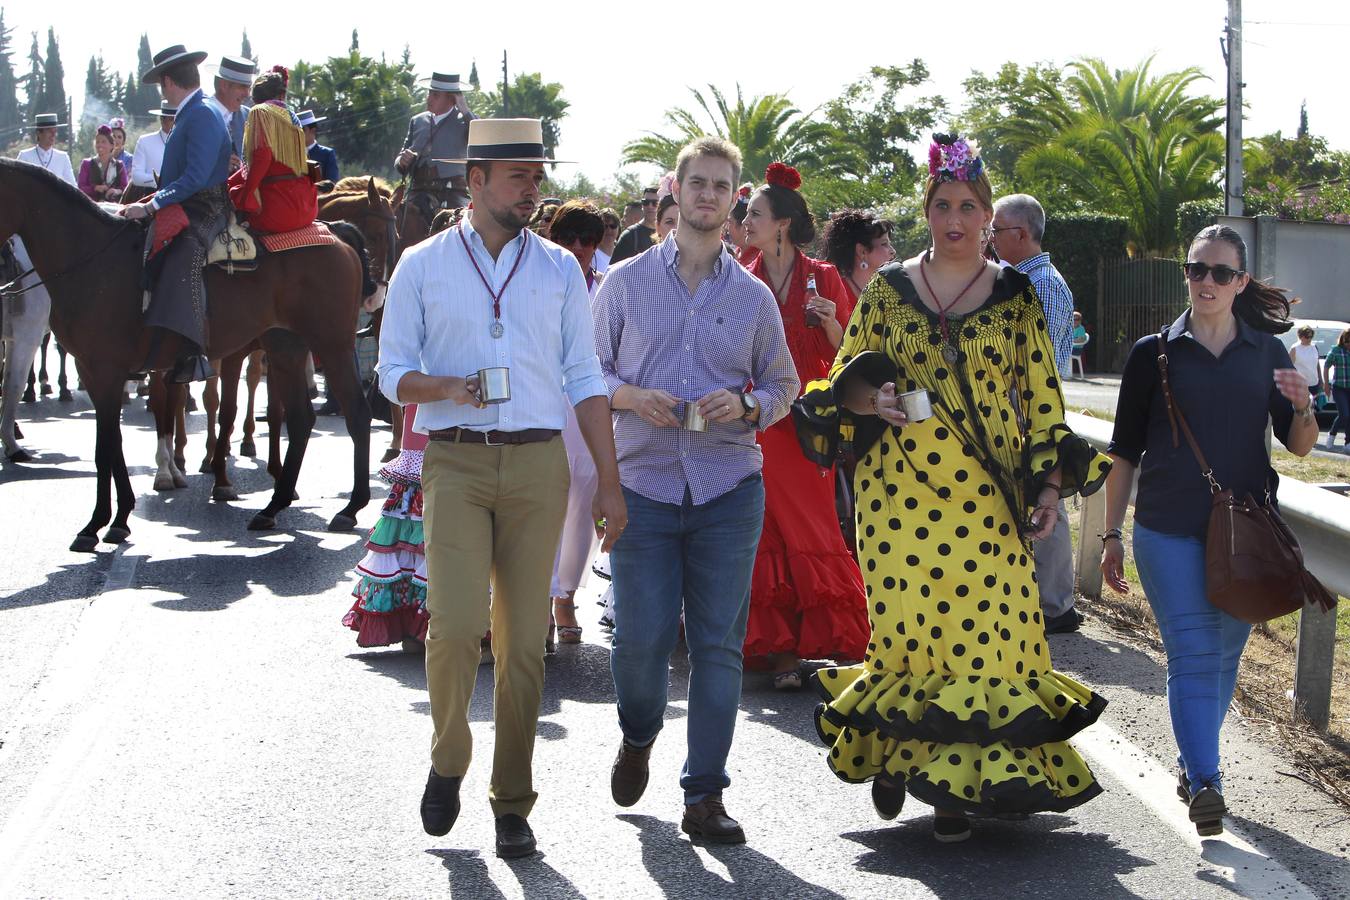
x=273, y=188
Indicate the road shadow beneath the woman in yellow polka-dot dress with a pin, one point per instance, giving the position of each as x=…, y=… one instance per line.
x=1074, y=864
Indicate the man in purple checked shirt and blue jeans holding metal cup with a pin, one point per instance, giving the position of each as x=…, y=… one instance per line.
x=685, y=325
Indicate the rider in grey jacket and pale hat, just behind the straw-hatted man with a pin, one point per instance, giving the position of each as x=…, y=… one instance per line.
x=434, y=137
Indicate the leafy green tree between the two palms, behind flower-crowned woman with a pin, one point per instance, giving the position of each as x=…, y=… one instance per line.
x=871, y=128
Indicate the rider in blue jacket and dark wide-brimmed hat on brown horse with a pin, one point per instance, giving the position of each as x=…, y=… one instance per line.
x=194, y=175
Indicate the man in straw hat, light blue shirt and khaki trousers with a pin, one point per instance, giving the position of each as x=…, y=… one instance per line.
x=493, y=298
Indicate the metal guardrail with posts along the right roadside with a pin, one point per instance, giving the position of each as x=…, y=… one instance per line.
x=1321, y=519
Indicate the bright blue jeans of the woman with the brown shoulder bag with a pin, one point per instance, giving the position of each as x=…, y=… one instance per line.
x=1204, y=647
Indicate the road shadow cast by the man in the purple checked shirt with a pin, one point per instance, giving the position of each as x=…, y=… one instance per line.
x=676, y=867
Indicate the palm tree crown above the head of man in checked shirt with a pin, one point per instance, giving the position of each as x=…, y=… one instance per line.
x=766, y=129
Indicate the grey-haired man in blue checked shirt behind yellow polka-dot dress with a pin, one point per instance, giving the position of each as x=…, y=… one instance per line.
x=1017, y=234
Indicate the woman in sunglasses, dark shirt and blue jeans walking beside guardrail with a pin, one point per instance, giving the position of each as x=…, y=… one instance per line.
x=1229, y=377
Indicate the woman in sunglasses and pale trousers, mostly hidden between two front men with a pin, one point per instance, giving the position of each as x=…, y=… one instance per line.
x=577, y=227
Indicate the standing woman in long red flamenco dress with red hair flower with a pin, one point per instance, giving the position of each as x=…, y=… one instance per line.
x=808, y=601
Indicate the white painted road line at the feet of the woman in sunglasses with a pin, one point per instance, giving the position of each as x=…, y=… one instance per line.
x=1248, y=871
